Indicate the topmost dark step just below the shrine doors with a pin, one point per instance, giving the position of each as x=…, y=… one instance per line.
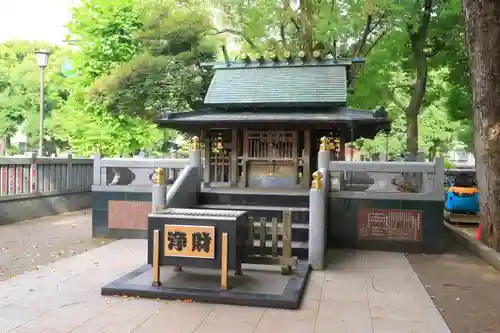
x=248, y=198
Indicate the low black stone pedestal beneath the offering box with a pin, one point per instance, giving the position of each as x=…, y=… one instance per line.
x=262, y=286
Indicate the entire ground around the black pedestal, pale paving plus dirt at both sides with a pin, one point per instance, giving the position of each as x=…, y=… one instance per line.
x=361, y=292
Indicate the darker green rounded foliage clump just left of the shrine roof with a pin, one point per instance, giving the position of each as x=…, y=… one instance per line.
x=147, y=85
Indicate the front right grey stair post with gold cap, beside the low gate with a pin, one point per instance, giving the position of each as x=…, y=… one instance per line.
x=317, y=222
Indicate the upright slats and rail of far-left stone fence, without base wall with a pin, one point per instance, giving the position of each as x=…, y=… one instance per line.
x=32, y=175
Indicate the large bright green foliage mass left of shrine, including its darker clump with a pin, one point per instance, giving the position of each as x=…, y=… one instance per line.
x=139, y=59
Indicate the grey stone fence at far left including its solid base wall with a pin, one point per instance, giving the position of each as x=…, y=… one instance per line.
x=32, y=187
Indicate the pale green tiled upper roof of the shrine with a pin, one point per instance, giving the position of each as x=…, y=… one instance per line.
x=278, y=85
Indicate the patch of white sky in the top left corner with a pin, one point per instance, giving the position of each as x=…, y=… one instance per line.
x=42, y=20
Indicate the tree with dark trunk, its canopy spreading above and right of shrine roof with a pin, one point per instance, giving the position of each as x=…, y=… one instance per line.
x=411, y=30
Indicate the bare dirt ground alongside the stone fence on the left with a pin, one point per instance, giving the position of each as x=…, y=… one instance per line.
x=28, y=245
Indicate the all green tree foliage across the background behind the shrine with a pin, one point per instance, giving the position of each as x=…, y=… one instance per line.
x=136, y=58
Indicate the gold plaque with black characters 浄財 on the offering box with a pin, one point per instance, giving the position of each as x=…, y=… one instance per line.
x=191, y=241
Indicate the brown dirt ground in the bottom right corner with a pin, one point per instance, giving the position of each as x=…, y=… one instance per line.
x=464, y=288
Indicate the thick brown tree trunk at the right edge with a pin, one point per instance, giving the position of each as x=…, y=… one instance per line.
x=482, y=22
